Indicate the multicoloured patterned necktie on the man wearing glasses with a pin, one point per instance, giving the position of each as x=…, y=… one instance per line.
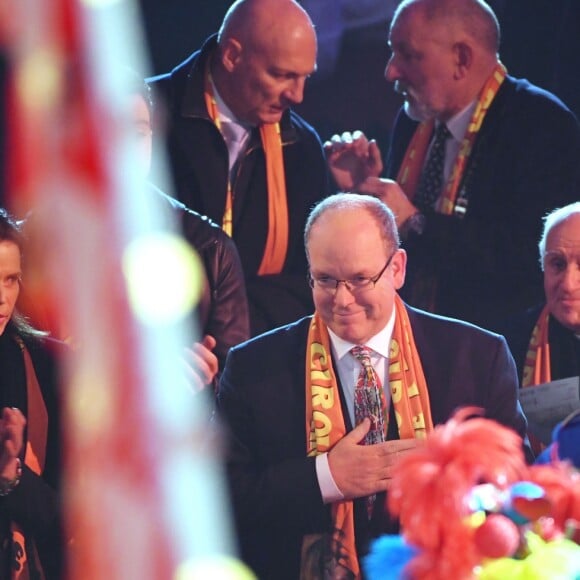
x=368, y=397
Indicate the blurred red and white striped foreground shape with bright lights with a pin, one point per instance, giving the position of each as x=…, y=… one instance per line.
x=143, y=493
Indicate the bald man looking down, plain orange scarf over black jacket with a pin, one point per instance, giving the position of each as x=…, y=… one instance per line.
x=241, y=156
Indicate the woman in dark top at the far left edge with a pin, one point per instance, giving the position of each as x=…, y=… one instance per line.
x=30, y=523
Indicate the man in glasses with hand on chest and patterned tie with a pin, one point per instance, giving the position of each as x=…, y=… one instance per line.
x=297, y=402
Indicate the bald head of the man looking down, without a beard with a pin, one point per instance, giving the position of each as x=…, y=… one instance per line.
x=266, y=51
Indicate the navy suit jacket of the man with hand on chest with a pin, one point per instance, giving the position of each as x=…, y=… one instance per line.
x=274, y=488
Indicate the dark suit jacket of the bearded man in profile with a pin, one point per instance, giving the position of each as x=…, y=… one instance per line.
x=524, y=163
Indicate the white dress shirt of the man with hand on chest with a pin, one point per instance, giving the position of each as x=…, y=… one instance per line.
x=348, y=369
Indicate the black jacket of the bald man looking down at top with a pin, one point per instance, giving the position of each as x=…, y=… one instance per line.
x=199, y=161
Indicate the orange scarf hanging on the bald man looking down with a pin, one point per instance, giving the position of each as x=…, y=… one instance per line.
x=277, y=239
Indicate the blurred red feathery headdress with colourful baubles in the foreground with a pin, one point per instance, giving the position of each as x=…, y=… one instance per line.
x=469, y=507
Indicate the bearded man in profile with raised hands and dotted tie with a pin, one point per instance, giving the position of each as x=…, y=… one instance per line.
x=509, y=156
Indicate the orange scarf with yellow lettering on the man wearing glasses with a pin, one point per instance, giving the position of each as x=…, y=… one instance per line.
x=325, y=423
